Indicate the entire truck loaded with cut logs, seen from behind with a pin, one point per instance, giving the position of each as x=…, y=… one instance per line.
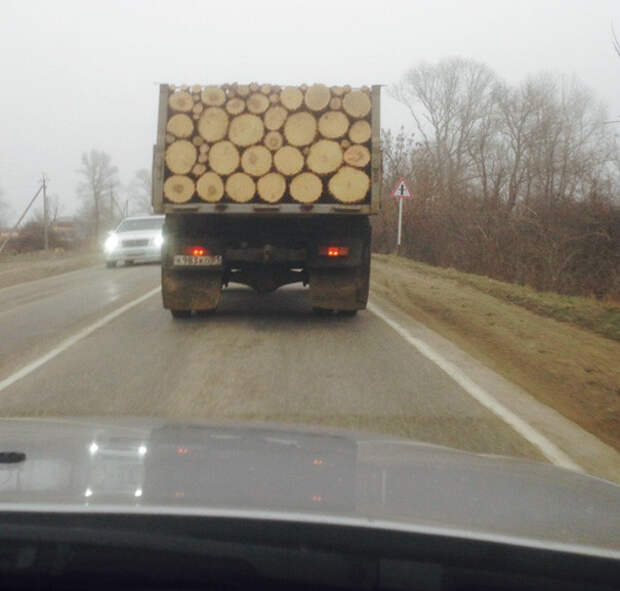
x=266, y=185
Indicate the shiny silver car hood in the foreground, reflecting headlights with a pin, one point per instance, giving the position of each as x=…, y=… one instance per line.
x=161, y=466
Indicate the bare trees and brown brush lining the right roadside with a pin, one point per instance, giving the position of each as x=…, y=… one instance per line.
x=520, y=183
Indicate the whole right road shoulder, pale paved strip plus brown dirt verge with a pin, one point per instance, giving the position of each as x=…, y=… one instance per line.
x=499, y=345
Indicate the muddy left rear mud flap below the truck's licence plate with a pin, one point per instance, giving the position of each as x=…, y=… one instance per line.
x=183, y=290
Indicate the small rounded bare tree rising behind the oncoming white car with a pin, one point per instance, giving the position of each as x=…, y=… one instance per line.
x=97, y=189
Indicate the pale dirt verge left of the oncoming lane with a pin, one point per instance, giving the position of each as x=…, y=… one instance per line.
x=19, y=268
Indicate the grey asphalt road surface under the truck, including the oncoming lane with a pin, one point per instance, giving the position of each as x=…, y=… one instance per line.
x=68, y=348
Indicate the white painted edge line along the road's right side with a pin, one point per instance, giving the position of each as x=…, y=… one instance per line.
x=551, y=451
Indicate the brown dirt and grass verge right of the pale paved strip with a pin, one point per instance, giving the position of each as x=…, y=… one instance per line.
x=548, y=344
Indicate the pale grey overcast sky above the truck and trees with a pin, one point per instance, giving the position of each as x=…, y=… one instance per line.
x=81, y=75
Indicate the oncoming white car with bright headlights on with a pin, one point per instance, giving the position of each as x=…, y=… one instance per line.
x=135, y=239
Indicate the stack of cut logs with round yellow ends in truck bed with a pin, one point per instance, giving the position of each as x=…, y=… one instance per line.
x=242, y=143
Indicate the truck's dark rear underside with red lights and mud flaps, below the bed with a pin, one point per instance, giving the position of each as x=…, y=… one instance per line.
x=203, y=253
